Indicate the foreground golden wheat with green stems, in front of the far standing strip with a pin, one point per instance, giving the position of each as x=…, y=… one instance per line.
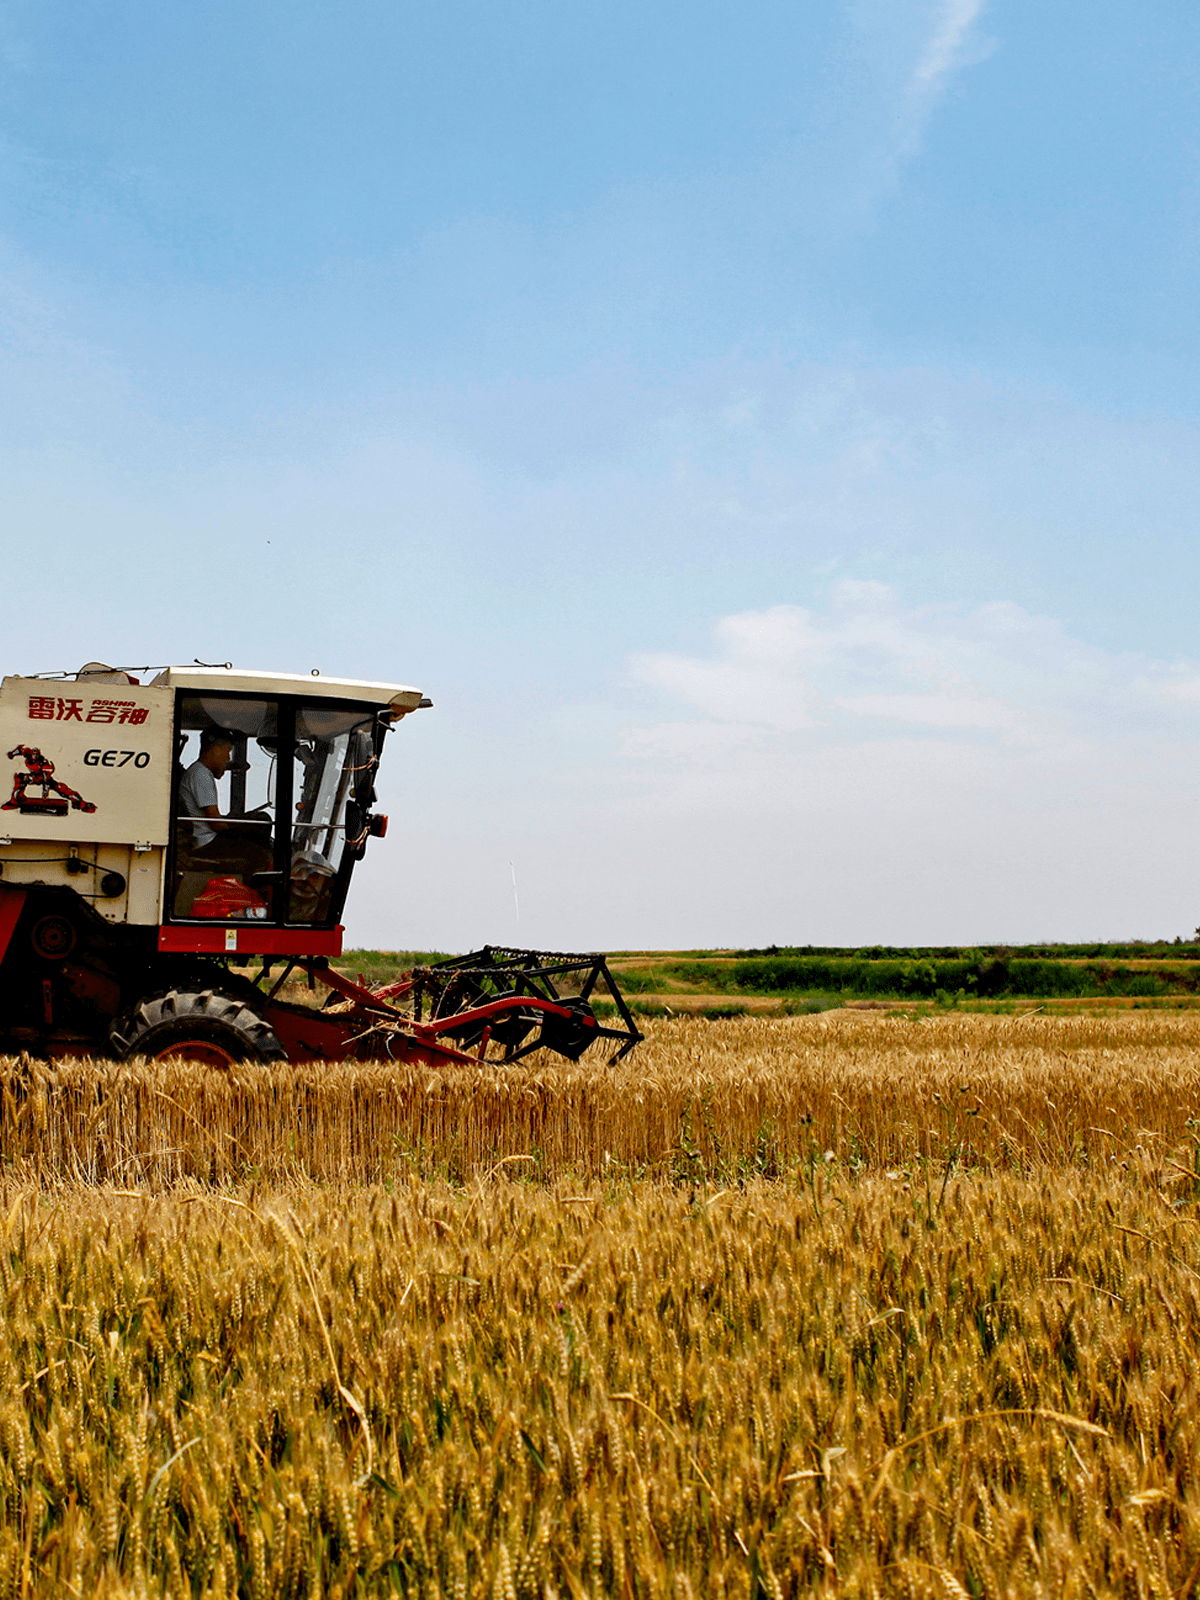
x=518, y=1393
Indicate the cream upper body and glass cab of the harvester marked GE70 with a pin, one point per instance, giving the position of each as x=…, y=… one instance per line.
x=97, y=799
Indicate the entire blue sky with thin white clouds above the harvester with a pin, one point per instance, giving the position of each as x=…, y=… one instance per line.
x=580, y=362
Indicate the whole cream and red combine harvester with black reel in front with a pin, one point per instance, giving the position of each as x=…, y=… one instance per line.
x=135, y=884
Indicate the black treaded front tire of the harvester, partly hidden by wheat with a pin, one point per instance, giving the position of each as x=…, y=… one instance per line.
x=222, y=1028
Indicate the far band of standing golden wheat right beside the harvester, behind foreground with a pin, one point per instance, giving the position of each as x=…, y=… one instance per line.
x=698, y=1100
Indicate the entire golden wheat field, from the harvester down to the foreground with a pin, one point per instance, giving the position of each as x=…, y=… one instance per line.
x=820, y=1306
